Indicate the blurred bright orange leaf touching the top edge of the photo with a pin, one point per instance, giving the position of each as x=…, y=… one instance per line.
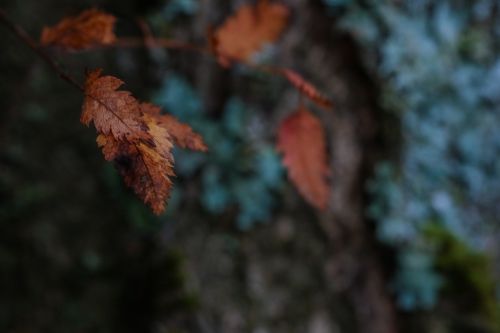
x=249, y=29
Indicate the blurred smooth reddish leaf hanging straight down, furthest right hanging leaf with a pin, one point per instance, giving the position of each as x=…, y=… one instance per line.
x=301, y=140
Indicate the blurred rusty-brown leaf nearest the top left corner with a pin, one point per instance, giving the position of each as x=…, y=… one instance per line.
x=91, y=28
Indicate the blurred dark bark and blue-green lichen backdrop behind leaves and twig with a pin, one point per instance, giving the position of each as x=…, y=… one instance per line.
x=410, y=240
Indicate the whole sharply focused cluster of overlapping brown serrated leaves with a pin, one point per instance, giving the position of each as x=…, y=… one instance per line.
x=136, y=137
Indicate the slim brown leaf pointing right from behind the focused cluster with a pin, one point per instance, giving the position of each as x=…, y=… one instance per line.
x=182, y=134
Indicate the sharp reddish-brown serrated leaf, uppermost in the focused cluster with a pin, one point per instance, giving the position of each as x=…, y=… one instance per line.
x=113, y=112
